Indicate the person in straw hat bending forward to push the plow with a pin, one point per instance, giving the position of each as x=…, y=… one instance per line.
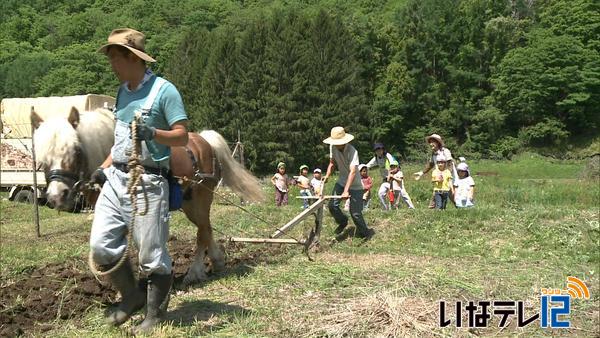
x=348, y=185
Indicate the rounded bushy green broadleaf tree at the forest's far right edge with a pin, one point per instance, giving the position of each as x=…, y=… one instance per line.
x=554, y=79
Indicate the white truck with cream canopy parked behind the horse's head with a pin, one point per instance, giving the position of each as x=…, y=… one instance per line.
x=16, y=168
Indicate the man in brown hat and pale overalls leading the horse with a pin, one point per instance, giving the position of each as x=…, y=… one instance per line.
x=162, y=125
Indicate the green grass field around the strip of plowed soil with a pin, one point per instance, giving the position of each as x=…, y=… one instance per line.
x=535, y=223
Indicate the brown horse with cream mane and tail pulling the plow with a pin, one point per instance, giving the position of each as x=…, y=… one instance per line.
x=70, y=149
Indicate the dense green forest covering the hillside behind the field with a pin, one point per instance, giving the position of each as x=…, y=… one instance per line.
x=492, y=77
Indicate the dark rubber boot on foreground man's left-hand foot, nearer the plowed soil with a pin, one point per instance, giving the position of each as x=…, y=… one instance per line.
x=133, y=298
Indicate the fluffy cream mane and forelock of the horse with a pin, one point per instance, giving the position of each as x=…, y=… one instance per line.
x=56, y=139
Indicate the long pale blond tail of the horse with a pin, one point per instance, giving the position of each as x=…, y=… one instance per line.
x=240, y=180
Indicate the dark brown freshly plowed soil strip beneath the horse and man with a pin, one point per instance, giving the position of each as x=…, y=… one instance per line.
x=36, y=301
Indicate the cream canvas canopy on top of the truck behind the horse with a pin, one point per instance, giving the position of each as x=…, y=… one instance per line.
x=15, y=112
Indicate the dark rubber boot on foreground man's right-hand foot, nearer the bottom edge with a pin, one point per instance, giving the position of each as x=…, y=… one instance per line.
x=156, y=305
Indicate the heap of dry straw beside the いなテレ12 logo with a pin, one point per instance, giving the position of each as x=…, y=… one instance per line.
x=383, y=314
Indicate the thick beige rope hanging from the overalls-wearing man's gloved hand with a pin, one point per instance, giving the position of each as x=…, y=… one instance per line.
x=136, y=170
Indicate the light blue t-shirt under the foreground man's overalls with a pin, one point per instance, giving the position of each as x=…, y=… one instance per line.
x=167, y=109
